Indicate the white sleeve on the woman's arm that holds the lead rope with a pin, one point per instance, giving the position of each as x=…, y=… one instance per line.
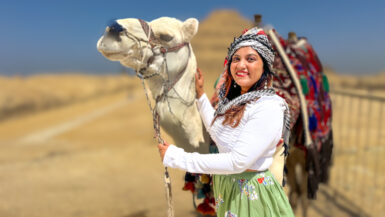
x=261, y=132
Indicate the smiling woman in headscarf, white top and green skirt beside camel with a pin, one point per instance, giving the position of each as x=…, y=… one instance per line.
x=246, y=126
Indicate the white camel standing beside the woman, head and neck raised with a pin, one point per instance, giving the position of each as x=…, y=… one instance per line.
x=160, y=52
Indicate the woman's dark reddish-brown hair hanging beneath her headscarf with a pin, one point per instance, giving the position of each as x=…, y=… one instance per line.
x=233, y=116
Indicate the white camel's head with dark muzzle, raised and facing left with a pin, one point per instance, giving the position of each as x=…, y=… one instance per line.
x=135, y=42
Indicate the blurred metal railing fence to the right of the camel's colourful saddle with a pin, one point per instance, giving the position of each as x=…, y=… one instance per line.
x=357, y=176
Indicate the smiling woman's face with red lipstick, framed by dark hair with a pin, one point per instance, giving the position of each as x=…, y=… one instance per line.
x=246, y=67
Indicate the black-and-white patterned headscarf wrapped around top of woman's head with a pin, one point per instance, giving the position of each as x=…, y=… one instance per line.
x=257, y=39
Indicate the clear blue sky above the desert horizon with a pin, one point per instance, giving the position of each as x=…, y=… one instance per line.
x=60, y=36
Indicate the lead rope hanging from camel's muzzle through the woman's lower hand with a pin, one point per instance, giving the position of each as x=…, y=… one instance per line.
x=156, y=125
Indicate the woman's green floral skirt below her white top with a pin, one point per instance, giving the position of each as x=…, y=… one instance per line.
x=250, y=194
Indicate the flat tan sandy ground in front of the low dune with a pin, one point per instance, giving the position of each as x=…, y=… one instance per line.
x=96, y=158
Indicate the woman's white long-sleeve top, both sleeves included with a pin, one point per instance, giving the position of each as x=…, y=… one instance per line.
x=250, y=145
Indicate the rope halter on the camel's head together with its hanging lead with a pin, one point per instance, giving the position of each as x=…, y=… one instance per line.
x=167, y=84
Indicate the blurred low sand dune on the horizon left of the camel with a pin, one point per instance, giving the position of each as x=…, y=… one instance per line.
x=26, y=94
